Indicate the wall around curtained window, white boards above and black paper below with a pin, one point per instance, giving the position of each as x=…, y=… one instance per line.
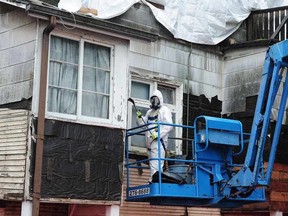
x=94, y=150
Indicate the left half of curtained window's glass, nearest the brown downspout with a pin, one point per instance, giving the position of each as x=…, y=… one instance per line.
x=63, y=76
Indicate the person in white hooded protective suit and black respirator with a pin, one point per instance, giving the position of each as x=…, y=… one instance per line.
x=157, y=113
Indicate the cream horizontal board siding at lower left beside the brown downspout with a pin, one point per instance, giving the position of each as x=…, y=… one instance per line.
x=13, y=148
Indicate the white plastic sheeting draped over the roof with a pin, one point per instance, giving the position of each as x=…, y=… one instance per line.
x=197, y=21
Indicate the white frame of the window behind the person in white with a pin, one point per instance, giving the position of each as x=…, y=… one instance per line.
x=175, y=109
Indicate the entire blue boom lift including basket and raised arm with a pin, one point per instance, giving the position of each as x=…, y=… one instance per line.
x=211, y=178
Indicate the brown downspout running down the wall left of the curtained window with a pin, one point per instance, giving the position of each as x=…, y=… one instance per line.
x=41, y=117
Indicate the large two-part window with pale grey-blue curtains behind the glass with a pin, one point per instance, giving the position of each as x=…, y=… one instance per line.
x=79, y=82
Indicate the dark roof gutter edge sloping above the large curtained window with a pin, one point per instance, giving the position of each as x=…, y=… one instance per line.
x=44, y=11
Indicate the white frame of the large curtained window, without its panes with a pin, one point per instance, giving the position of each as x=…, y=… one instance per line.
x=78, y=117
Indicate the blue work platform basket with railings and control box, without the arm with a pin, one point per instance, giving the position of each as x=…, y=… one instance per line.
x=206, y=175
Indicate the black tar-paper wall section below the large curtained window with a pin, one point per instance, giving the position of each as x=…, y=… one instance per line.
x=82, y=162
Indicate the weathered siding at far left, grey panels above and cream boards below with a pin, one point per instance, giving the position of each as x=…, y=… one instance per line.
x=17, y=46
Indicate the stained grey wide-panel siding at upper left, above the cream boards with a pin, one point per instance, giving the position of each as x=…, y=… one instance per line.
x=17, y=50
